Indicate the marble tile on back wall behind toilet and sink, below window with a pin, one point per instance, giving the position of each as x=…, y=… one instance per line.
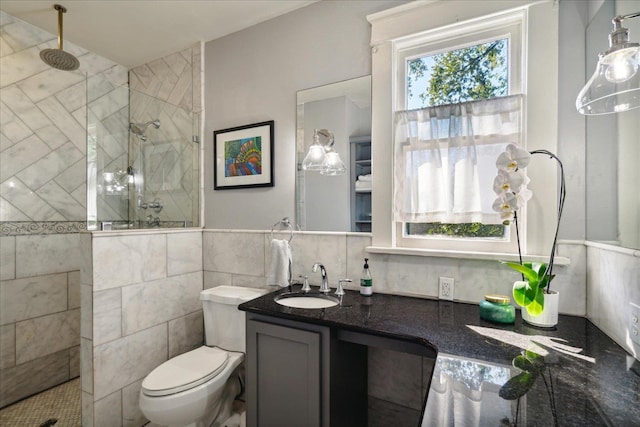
x=241, y=258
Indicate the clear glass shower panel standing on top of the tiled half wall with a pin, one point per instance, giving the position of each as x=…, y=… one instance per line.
x=142, y=160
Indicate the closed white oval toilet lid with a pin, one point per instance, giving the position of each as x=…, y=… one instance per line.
x=185, y=371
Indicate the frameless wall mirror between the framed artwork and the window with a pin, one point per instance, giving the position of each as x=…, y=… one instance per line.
x=335, y=203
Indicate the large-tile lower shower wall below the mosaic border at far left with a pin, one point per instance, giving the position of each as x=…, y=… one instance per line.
x=39, y=313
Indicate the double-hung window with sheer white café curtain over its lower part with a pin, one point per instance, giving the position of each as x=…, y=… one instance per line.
x=463, y=75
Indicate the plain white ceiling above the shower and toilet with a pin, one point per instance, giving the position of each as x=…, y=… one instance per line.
x=134, y=32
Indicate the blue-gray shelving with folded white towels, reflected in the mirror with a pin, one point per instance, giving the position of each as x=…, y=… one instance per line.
x=360, y=197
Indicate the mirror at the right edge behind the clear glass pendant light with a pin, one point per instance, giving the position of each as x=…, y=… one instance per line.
x=612, y=150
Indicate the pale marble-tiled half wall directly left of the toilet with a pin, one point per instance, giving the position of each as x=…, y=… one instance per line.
x=140, y=302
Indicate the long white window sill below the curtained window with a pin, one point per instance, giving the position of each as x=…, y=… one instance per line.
x=486, y=256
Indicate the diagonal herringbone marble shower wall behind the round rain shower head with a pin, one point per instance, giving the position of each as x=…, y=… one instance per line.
x=42, y=126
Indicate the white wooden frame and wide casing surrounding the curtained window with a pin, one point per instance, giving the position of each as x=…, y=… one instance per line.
x=404, y=32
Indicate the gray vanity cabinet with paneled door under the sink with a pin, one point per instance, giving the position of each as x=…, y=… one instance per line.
x=291, y=380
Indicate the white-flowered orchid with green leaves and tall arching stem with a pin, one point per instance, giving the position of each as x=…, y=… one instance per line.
x=511, y=187
